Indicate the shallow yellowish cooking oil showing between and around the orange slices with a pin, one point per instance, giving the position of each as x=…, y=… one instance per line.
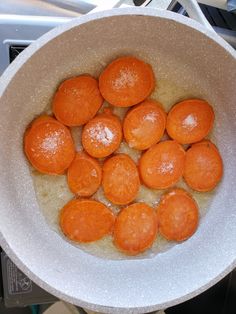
x=53, y=193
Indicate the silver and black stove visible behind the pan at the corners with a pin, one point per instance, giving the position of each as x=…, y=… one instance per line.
x=22, y=22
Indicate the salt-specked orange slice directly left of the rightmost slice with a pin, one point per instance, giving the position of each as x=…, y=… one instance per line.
x=162, y=165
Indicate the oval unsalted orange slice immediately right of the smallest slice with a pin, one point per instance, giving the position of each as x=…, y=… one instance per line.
x=120, y=179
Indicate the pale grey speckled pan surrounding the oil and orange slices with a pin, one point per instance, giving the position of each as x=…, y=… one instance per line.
x=179, y=49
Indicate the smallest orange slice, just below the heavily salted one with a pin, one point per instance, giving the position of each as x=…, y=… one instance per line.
x=84, y=175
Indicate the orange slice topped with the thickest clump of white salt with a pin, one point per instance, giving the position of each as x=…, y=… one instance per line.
x=102, y=135
